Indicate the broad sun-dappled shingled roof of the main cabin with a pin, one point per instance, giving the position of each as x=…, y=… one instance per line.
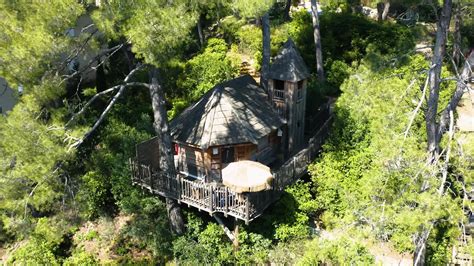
x=236, y=111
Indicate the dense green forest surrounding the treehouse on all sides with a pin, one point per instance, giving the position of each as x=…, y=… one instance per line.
x=86, y=69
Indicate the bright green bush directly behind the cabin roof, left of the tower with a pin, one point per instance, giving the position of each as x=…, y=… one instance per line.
x=205, y=70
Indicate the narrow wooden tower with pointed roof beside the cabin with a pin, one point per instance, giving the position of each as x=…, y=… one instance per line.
x=287, y=81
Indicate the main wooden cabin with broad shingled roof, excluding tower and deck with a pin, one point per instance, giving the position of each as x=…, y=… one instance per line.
x=234, y=121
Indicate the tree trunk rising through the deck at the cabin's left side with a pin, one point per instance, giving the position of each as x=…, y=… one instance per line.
x=166, y=155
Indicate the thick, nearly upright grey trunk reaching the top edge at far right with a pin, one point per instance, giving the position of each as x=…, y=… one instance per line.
x=434, y=80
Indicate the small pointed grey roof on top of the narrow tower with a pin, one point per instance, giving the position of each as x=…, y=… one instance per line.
x=288, y=64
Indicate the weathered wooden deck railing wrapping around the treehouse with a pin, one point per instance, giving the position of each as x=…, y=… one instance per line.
x=216, y=198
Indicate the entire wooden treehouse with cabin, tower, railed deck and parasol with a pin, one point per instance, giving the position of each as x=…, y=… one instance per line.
x=239, y=146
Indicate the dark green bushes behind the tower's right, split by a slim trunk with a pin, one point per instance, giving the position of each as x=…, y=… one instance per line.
x=347, y=38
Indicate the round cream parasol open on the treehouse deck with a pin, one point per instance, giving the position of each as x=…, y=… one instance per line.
x=247, y=176
